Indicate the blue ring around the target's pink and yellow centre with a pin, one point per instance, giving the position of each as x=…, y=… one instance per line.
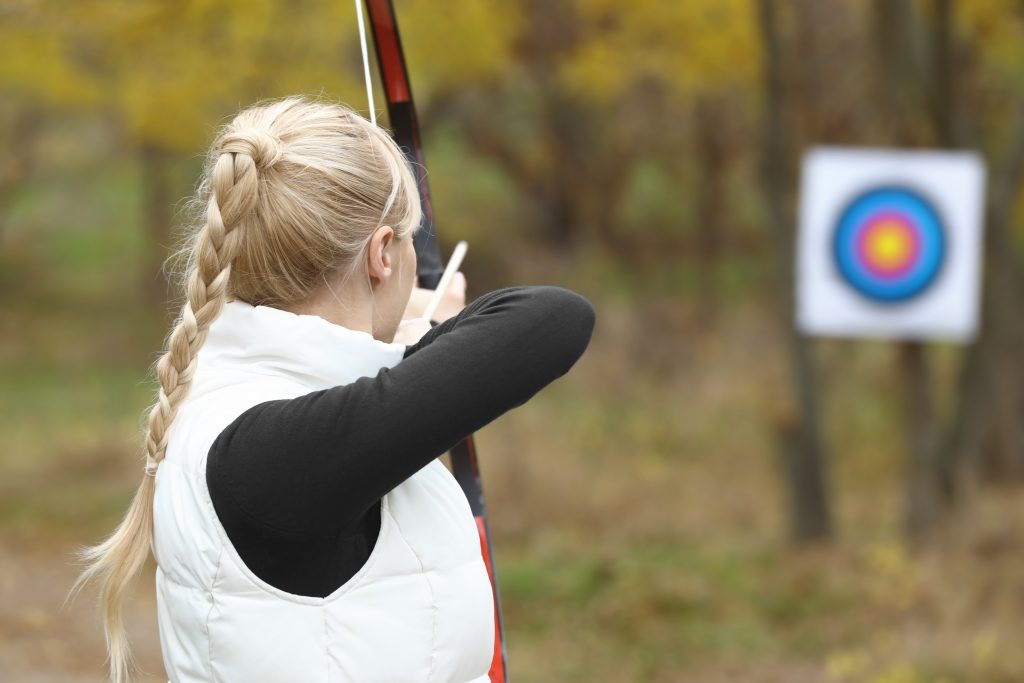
x=922, y=217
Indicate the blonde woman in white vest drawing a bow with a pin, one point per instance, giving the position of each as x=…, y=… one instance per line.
x=303, y=527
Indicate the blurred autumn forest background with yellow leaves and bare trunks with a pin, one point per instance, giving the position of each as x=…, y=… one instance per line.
x=708, y=496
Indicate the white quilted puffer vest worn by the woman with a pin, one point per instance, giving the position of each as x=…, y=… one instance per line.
x=420, y=610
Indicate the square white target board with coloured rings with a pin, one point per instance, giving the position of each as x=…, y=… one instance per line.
x=889, y=244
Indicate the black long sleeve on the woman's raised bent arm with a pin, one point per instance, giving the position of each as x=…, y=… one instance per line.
x=297, y=484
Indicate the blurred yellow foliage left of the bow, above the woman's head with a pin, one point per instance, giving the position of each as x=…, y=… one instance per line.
x=170, y=70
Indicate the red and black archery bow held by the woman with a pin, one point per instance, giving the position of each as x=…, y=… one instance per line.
x=406, y=131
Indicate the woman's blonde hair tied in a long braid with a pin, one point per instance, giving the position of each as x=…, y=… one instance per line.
x=293, y=190
